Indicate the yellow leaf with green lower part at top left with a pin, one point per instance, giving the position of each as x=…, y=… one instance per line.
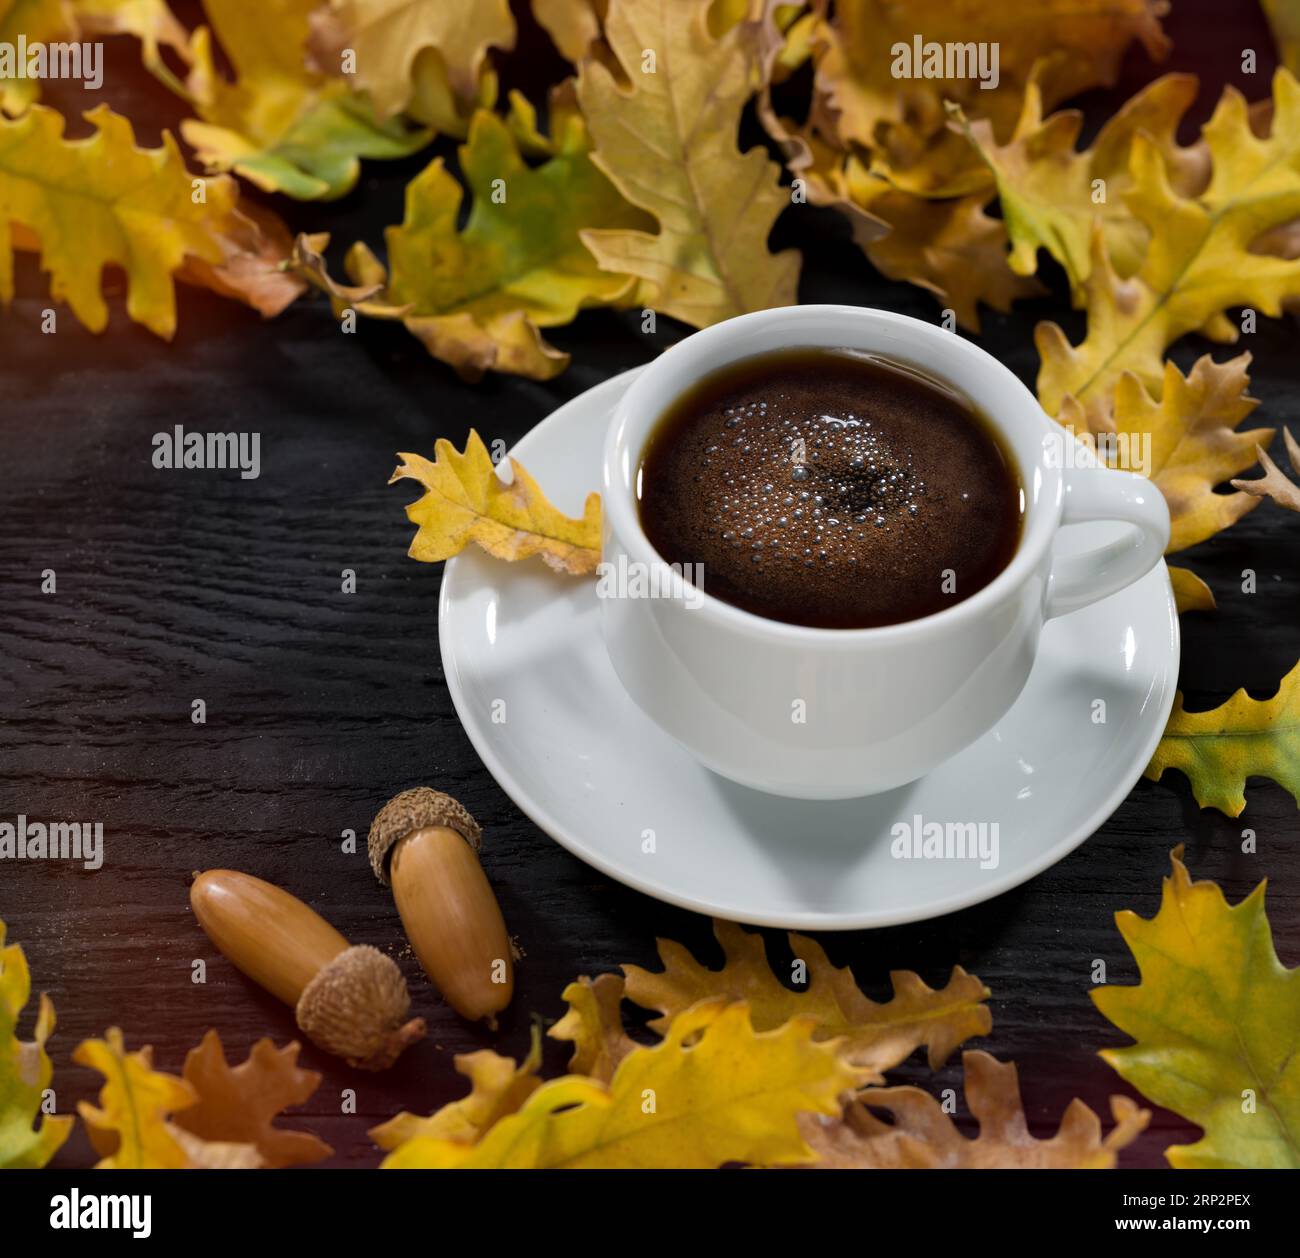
x=280, y=124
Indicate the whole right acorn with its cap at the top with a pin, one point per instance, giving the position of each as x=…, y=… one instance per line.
x=426, y=844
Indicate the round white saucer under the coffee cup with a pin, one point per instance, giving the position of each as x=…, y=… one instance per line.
x=592, y=771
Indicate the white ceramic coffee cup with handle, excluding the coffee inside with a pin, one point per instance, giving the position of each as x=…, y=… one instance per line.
x=834, y=714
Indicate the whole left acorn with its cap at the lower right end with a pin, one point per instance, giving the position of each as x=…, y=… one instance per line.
x=348, y=1001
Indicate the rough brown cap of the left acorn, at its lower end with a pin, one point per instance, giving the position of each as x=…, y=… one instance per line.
x=356, y=1008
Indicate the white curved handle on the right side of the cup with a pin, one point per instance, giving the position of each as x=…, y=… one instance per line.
x=1108, y=494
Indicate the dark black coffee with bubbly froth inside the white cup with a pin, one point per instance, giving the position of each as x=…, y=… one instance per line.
x=831, y=489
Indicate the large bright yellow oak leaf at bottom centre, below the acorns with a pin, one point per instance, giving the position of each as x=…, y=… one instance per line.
x=713, y=1092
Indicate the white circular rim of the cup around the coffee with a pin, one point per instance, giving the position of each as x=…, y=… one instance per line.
x=1042, y=484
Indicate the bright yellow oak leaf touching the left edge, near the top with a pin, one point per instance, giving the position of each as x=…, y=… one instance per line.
x=99, y=202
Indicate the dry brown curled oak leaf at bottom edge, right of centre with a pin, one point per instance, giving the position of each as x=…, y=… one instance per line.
x=922, y=1136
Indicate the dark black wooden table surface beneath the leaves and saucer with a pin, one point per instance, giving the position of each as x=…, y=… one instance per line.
x=320, y=705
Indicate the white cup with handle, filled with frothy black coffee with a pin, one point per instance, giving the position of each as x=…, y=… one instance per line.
x=847, y=660
